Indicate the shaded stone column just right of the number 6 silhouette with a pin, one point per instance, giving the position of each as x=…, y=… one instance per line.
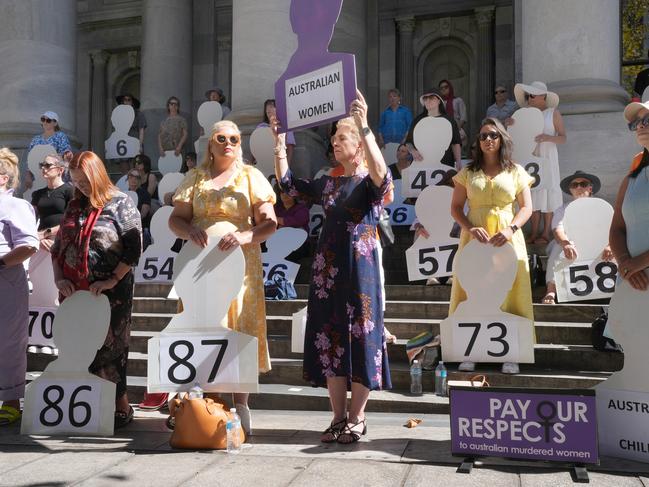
x=166, y=64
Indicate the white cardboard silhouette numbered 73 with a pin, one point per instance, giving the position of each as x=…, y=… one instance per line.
x=478, y=325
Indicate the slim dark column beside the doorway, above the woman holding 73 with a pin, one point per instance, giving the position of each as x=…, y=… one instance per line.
x=485, y=80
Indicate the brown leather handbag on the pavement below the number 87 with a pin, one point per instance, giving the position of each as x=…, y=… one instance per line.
x=200, y=424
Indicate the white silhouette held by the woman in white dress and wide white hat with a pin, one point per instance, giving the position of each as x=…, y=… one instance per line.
x=528, y=123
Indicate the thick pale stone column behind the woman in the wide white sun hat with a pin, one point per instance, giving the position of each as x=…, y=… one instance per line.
x=575, y=48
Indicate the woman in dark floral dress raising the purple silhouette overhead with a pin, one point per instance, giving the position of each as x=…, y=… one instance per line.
x=344, y=348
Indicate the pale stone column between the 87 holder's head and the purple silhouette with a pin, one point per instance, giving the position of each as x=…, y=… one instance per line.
x=262, y=45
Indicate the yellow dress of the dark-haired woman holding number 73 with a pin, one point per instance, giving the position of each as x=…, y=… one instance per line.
x=491, y=206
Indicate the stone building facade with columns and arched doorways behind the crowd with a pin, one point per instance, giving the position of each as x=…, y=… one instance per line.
x=75, y=56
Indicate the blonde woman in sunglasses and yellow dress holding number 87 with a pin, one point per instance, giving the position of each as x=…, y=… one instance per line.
x=224, y=189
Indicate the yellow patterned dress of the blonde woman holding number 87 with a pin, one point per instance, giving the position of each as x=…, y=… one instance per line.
x=234, y=203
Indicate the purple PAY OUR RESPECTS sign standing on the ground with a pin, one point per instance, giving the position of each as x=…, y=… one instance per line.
x=551, y=425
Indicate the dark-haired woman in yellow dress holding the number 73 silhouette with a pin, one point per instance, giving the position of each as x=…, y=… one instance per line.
x=492, y=184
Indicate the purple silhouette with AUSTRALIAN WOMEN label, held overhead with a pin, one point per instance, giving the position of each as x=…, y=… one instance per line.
x=318, y=86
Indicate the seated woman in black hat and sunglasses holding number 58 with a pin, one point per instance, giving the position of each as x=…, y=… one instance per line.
x=578, y=185
